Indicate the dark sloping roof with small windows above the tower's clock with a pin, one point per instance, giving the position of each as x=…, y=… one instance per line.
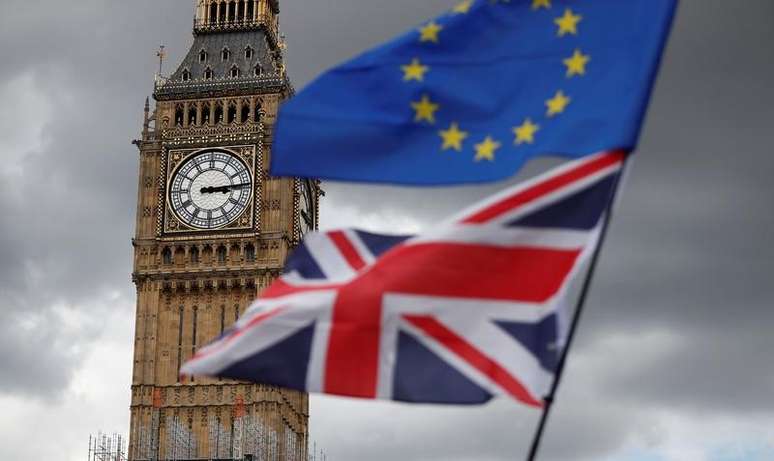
x=213, y=44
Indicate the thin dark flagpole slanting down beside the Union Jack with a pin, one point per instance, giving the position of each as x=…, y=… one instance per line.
x=549, y=400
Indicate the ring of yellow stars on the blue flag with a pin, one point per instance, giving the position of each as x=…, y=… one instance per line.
x=454, y=137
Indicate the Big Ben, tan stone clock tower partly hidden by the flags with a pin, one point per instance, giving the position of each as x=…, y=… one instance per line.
x=213, y=229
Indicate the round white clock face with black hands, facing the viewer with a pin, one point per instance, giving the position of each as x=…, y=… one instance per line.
x=210, y=189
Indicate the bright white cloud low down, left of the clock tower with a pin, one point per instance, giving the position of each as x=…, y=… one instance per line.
x=96, y=398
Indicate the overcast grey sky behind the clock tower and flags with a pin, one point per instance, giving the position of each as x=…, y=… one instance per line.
x=673, y=360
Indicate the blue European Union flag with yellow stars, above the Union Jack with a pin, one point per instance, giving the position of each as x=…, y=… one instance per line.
x=473, y=94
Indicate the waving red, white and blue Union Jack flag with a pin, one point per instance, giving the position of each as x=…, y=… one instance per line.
x=466, y=311
